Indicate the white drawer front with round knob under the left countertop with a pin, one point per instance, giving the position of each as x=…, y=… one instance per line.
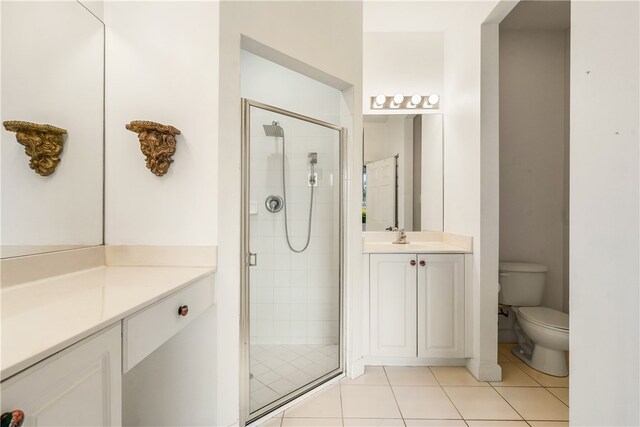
x=147, y=330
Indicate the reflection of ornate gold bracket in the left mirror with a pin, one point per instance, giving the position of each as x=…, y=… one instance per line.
x=42, y=143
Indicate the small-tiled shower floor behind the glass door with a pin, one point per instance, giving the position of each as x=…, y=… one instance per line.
x=277, y=370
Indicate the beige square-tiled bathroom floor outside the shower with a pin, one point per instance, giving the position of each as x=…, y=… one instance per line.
x=436, y=396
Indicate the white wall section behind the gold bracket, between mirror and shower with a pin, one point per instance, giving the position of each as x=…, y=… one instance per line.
x=162, y=65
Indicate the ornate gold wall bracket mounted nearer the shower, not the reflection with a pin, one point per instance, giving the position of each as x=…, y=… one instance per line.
x=157, y=142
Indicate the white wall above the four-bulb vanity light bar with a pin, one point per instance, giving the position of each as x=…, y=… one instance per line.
x=401, y=62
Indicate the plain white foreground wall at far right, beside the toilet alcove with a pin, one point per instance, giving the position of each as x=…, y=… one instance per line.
x=605, y=214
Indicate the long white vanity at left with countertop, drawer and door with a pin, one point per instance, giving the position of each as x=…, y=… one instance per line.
x=65, y=367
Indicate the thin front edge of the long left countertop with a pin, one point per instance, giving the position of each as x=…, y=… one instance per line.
x=12, y=370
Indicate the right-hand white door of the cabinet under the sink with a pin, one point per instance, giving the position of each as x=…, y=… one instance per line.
x=441, y=306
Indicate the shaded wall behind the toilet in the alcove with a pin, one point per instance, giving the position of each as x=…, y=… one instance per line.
x=532, y=153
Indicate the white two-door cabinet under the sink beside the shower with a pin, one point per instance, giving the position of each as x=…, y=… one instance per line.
x=416, y=306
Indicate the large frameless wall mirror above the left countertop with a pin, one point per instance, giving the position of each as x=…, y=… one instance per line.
x=52, y=73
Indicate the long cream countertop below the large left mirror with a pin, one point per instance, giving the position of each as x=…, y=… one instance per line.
x=42, y=317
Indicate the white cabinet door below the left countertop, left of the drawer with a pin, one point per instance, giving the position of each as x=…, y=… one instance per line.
x=80, y=386
